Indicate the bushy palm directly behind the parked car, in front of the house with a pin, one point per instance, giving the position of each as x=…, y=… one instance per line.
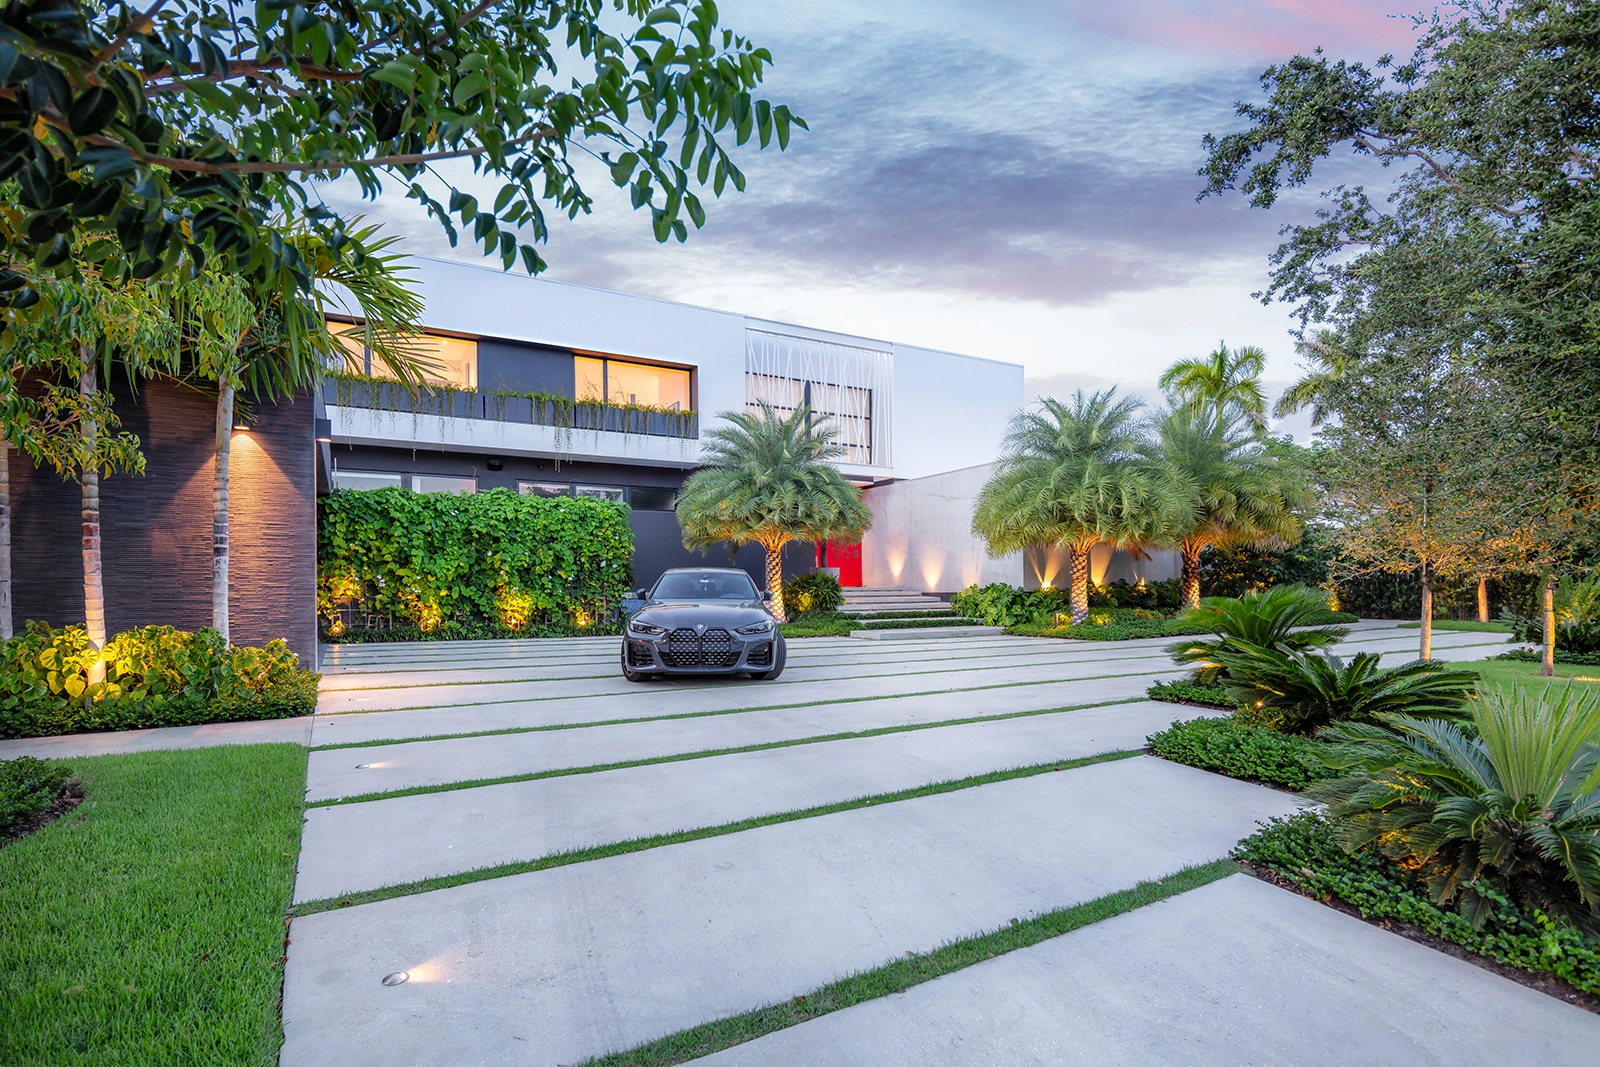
x=767, y=479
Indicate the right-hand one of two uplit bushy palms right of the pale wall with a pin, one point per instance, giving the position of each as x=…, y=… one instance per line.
x=1231, y=489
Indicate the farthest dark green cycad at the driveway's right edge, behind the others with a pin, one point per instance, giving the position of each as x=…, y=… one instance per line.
x=1266, y=620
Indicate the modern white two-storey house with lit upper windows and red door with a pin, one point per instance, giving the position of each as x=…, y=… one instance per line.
x=567, y=390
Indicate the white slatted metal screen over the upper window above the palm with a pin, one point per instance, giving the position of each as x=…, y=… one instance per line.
x=849, y=386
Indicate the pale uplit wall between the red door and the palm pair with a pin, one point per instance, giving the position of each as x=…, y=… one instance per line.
x=922, y=535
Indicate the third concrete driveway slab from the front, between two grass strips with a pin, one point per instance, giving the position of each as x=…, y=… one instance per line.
x=350, y=849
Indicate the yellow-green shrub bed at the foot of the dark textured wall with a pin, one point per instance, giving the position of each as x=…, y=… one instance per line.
x=154, y=677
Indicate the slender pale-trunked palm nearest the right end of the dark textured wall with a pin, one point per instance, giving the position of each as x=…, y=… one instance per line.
x=279, y=343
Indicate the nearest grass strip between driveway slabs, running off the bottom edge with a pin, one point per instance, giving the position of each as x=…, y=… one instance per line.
x=902, y=975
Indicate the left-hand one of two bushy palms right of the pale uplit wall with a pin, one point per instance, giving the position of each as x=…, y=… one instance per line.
x=1073, y=476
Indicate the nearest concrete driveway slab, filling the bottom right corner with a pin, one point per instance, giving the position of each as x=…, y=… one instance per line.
x=1230, y=975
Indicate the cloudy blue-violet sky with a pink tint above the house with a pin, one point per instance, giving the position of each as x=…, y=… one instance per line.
x=1004, y=178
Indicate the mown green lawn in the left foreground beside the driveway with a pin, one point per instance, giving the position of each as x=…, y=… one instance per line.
x=146, y=927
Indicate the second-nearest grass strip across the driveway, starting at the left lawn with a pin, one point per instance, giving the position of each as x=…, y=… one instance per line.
x=658, y=841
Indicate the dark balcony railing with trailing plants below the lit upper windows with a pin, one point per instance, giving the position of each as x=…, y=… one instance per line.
x=500, y=407
